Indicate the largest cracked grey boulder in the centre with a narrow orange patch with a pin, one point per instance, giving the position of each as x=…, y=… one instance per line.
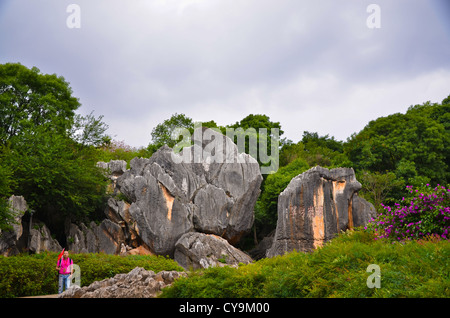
x=214, y=192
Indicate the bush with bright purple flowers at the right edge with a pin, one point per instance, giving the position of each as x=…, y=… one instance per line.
x=425, y=212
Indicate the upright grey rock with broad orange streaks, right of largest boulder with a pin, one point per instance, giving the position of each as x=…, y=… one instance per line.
x=315, y=206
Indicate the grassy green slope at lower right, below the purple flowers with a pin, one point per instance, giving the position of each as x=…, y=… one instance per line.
x=411, y=269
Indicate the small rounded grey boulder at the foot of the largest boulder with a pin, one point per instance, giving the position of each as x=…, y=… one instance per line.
x=199, y=250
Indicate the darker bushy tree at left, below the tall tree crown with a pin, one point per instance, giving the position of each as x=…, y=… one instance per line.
x=55, y=174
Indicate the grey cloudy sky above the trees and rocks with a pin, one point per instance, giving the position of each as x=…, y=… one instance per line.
x=311, y=65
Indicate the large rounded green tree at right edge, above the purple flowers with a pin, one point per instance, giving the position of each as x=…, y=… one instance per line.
x=413, y=145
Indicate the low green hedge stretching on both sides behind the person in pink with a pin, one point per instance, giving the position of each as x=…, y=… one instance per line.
x=31, y=275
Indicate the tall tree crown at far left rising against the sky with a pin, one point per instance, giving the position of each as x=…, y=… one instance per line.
x=29, y=99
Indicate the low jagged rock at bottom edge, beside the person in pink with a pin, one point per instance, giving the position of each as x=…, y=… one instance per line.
x=138, y=283
